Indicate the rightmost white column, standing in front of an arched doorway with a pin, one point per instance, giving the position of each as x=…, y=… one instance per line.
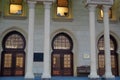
x=108, y=73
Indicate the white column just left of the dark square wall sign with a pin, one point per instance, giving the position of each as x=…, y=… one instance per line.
x=29, y=57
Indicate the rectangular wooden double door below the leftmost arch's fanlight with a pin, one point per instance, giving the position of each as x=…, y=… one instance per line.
x=13, y=64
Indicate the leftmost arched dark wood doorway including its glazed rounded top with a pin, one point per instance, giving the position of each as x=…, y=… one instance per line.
x=13, y=55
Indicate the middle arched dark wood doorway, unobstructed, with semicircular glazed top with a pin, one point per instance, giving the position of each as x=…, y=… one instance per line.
x=62, y=56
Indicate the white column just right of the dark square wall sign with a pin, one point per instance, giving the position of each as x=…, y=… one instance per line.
x=46, y=73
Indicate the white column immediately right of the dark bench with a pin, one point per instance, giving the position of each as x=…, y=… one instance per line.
x=93, y=56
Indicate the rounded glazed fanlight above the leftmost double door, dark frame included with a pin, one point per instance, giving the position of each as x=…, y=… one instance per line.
x=14, y=40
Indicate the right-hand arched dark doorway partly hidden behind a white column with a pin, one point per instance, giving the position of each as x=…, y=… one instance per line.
x=101, y=56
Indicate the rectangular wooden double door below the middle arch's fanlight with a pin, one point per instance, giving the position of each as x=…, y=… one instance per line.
x=62, y=64
